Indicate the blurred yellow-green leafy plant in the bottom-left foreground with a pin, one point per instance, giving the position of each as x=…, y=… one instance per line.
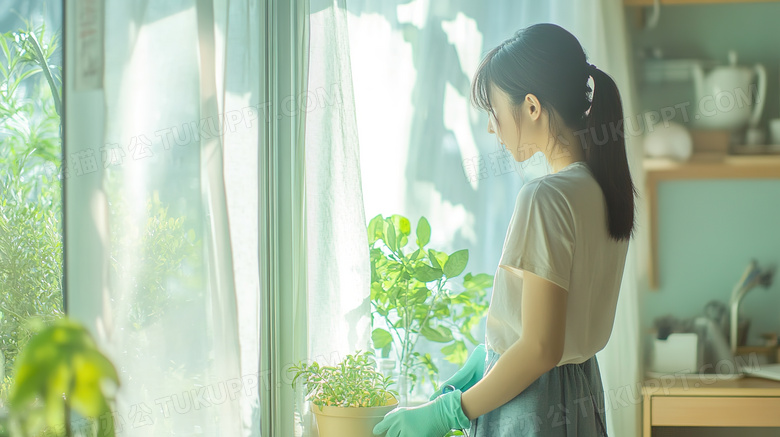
x=62, y=370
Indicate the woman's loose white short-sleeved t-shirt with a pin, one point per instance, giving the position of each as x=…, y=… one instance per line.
x=558, y=231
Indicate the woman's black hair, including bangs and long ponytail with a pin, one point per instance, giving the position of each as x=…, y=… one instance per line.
x=548, y=61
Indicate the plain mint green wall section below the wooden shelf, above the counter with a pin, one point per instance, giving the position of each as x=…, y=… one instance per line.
x=708, y=232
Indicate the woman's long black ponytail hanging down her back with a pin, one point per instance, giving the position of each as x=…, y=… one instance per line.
x=605, y=153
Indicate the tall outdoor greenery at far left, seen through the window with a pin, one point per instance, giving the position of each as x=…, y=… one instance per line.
x=30, y=202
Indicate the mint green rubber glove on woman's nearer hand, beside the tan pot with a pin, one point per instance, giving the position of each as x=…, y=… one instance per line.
x=431, y=419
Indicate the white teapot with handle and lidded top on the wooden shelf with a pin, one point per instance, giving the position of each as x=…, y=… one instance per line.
x=725, y=98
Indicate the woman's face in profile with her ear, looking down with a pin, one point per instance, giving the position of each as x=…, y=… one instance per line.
x=521, y=140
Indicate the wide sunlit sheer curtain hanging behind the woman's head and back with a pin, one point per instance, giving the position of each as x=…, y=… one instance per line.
x=426, y=151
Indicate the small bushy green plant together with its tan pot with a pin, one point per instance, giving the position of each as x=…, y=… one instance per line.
x=347, y=399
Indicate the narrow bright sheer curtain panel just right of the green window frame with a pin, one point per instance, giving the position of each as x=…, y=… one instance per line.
x=337, y=252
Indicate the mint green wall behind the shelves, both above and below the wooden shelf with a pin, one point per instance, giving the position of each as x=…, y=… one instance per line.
x=709, y=230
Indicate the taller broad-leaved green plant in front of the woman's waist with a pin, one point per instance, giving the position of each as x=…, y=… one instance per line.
x=402, y=299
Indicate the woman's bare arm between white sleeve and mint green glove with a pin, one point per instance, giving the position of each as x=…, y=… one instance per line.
x=538, y=350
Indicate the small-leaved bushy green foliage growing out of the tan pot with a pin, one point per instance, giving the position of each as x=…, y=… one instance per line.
x=354, y=382
